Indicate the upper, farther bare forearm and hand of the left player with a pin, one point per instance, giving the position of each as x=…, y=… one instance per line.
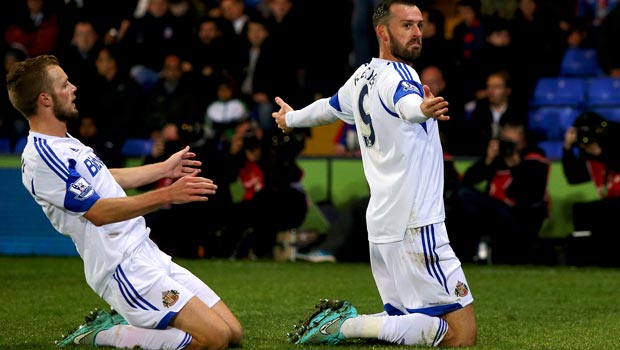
x=177, y=165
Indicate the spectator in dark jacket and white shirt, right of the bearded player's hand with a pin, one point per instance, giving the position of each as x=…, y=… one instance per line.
x=492, y=111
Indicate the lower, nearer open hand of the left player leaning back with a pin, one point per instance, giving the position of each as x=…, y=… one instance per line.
x=191, y=188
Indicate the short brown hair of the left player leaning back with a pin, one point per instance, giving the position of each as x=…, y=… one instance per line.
x=27, y=79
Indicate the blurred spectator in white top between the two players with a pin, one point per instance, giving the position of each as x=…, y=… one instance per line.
x=227, y=110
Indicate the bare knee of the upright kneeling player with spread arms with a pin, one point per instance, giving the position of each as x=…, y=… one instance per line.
x=462, y=327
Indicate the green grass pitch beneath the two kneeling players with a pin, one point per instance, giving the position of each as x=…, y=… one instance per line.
x=517, y=307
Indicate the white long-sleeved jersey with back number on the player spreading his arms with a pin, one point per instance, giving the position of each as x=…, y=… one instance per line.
x=403, y=161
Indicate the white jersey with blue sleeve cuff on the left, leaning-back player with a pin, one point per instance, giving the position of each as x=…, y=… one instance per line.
x=66, y=178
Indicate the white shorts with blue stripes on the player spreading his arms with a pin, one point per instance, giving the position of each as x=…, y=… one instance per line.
x=420, y=274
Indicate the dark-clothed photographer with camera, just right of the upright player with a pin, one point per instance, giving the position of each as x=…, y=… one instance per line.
x=509, y=213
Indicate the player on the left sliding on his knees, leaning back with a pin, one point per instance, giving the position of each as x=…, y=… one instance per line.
x=166, y=306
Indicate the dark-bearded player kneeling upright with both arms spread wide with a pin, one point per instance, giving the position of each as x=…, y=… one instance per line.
x=426, y=297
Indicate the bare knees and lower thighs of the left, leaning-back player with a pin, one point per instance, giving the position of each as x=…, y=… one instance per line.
x=211, y=328
